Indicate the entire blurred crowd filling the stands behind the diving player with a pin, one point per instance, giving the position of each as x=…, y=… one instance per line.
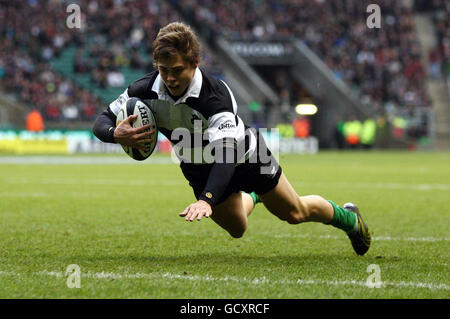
x=383, y=68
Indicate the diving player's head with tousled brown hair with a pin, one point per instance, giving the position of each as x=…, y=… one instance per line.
x=176, y=55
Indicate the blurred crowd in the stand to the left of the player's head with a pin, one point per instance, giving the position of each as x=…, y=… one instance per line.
x=113, y=34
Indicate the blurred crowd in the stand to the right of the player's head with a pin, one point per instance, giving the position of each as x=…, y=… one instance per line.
x=383, y=65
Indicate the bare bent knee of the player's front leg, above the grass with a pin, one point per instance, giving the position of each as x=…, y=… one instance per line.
x=232, y=213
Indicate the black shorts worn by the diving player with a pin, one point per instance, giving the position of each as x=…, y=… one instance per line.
x=259, y=174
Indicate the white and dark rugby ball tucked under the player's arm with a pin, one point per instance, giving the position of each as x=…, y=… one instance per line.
x=135, y=106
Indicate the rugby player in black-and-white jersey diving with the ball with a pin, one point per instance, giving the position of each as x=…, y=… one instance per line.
x=182, y=96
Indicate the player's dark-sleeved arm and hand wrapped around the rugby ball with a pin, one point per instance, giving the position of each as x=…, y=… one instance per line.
x=105, y=127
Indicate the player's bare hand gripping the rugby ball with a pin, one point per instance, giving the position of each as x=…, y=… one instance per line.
x=127, y=135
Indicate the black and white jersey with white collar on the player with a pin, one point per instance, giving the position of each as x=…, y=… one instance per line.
x=204, y=115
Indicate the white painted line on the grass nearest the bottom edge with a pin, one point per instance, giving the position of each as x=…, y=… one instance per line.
x=255, y=281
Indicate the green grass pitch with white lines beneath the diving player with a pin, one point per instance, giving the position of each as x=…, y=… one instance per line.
x=119, y=223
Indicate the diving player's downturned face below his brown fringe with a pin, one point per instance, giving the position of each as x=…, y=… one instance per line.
x=176, y=73
